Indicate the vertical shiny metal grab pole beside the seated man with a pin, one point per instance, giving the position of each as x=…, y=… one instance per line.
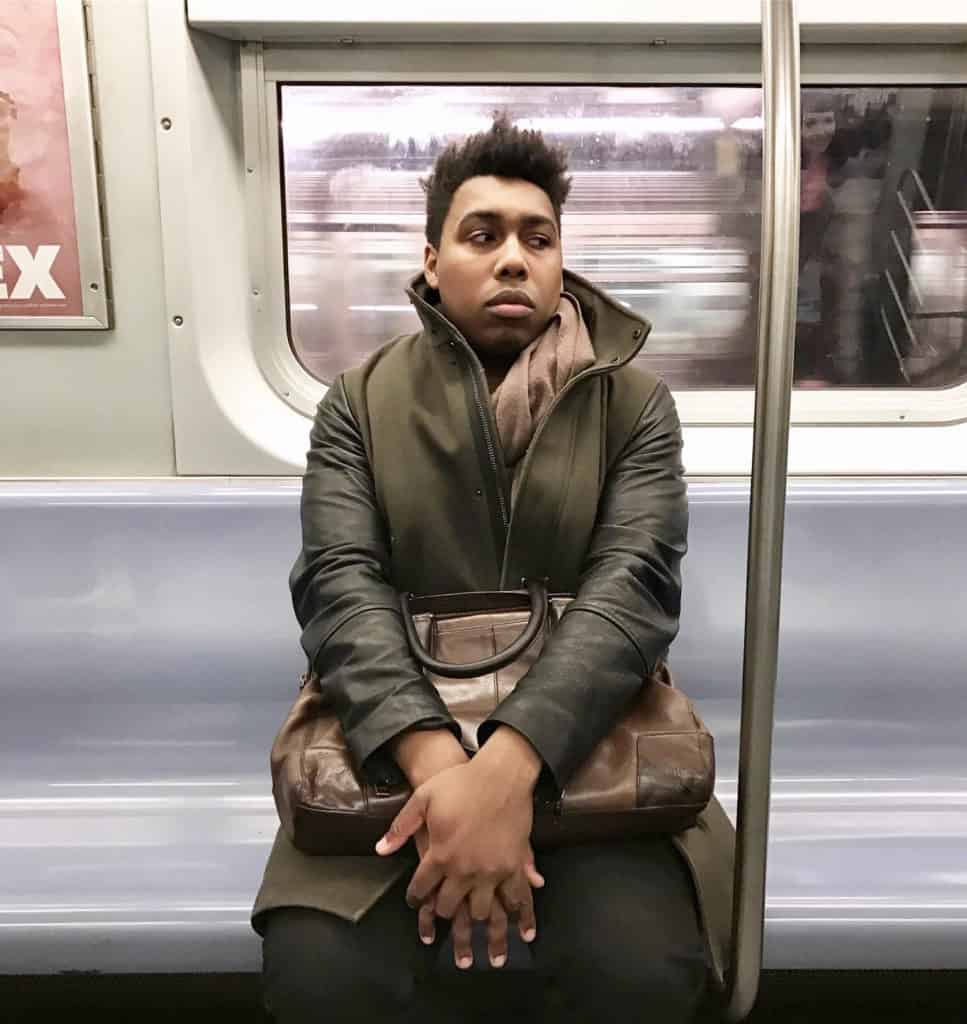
x=778, y=284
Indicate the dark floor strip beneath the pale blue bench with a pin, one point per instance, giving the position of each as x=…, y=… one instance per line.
x=786, y=998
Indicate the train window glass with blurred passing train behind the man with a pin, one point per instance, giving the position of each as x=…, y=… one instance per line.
x=664, y=214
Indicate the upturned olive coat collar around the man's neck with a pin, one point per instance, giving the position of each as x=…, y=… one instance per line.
x=617, y=334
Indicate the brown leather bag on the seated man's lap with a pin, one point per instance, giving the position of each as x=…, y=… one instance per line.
x=654, y=773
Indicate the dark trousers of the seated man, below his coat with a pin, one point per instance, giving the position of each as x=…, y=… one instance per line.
x=618, y=942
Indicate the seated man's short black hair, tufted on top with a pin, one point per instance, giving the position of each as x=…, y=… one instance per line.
x=504, y=152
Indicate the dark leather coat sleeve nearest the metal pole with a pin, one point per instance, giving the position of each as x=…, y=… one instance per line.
x=625, y=614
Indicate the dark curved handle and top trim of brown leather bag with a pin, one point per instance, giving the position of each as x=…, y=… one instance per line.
x=496, y=602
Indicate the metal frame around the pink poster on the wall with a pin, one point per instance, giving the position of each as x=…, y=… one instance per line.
x=78, y=103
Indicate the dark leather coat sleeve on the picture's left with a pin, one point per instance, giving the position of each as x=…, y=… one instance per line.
x=346, y=602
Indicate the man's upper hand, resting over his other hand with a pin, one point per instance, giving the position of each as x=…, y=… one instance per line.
x=479, y=818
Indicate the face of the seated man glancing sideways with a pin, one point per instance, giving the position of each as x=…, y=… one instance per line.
x=498, y=269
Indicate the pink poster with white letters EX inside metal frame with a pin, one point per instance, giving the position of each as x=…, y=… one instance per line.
x=39, y=268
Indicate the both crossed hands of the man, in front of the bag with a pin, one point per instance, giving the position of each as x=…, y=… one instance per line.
x=471, y=822
